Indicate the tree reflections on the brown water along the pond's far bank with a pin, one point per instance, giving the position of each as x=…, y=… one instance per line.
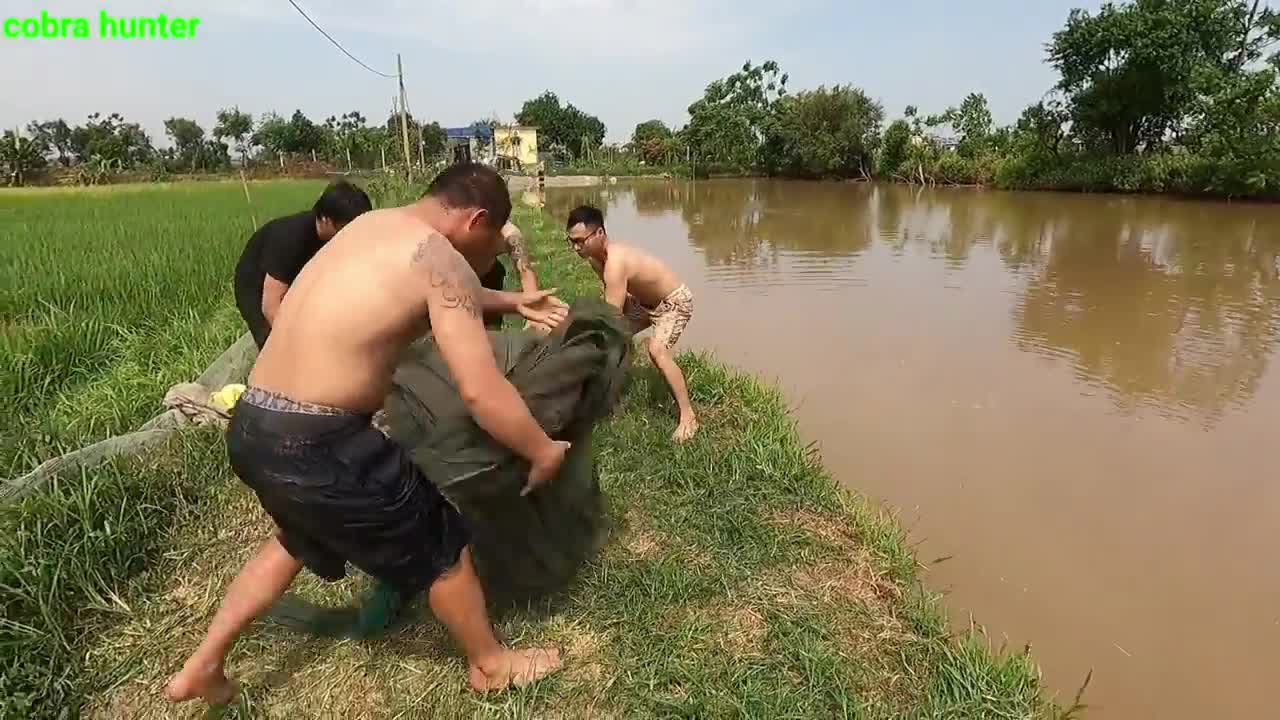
x=1163, y=303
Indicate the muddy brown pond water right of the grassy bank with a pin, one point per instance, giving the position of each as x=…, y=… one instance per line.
x=1071, y=399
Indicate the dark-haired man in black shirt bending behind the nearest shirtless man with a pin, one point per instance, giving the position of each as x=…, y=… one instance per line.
x=278, y=250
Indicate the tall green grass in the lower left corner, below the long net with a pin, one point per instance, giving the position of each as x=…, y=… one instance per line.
x=71, y=554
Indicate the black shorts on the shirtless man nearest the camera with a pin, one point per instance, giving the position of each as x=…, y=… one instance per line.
x=344, y=493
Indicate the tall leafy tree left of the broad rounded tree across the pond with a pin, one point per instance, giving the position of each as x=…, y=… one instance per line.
x=728, y=124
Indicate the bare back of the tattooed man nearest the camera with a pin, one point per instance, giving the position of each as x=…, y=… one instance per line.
x=354, y=309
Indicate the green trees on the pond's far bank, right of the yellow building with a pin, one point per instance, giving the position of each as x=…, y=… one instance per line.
x=1153, y=95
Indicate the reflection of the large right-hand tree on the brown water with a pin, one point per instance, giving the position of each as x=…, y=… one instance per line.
x=1168, y=304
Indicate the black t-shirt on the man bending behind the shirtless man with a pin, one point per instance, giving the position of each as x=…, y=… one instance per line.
x=278, y=249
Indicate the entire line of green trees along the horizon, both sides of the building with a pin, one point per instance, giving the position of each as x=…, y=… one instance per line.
x=1153, y=95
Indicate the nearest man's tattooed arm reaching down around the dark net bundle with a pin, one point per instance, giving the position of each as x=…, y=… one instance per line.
x=455, y=309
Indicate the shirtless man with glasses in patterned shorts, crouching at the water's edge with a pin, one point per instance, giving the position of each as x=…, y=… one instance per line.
x=647, y=293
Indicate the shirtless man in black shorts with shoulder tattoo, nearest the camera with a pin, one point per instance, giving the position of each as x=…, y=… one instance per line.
x=341, y=491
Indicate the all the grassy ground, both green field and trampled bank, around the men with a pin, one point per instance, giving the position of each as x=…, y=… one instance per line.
x=739, y=581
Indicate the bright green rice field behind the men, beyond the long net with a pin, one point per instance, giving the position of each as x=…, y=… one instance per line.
x=111, y=298
